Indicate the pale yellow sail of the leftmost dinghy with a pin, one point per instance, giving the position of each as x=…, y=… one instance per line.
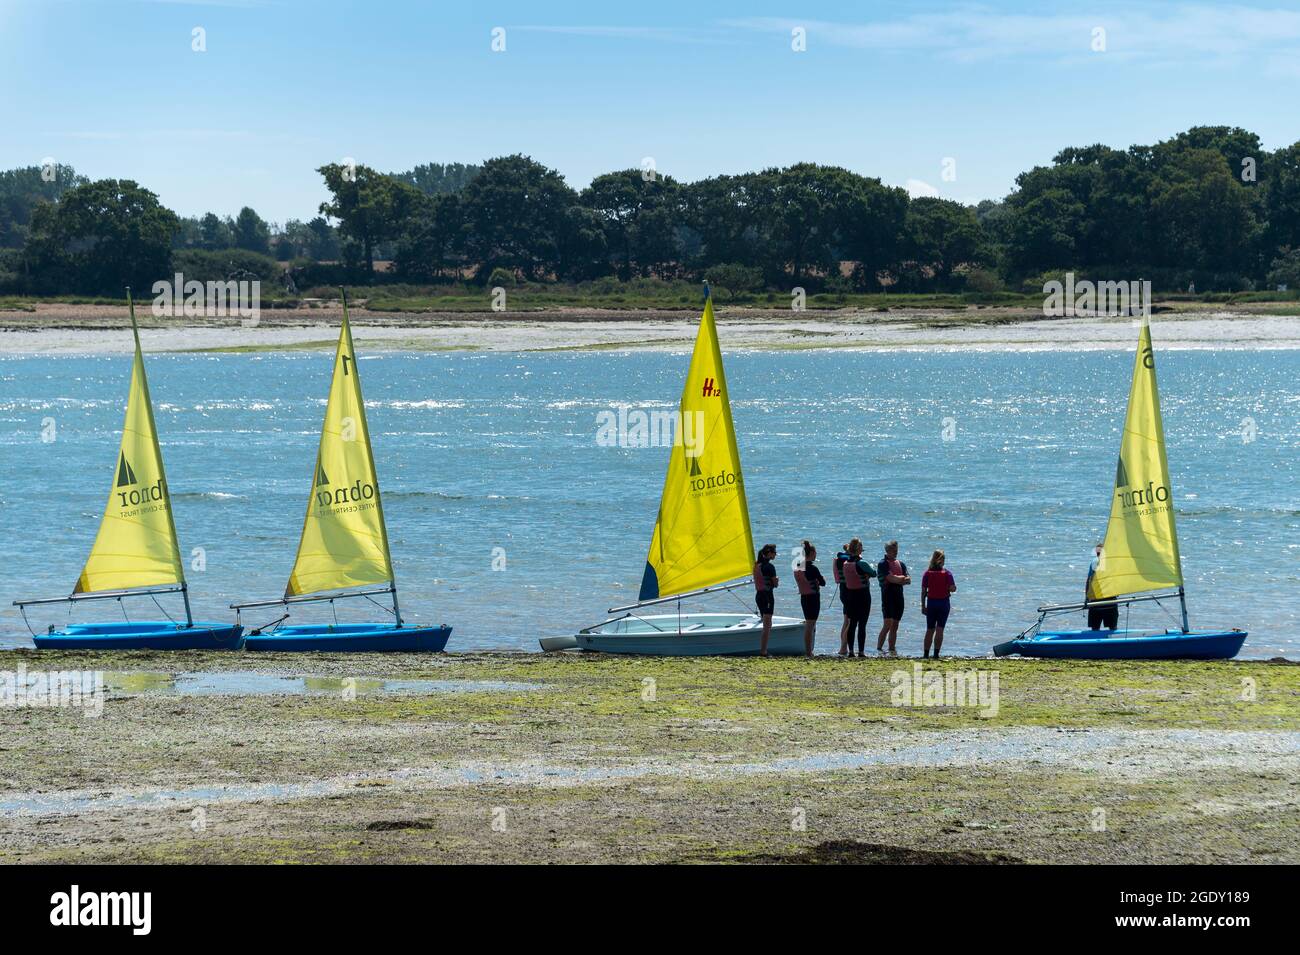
x=136, y=545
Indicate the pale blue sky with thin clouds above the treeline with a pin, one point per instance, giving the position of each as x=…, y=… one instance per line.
x=889, y=90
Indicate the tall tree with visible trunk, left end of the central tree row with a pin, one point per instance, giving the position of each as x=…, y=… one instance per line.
x=370, y=207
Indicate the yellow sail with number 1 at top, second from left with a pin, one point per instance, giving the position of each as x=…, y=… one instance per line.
x=345, y=542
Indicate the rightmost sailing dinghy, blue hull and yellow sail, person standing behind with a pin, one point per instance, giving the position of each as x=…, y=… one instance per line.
x=1139, y=557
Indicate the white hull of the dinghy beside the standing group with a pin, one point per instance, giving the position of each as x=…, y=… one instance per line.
x=694, y=635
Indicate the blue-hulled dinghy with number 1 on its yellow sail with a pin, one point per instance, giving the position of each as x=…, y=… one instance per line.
x=344, y=552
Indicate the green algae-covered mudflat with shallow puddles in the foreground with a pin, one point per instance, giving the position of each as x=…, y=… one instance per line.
x=593, y=759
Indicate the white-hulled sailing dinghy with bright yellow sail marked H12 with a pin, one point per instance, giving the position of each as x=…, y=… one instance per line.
x=701, y=539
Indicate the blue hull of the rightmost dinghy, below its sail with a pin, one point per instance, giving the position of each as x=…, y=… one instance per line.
x=1128, y=645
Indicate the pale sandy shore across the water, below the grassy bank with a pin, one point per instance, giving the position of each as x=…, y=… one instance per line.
x=99, y=329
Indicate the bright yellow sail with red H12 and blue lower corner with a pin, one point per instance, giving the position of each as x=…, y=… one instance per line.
x=703, y=535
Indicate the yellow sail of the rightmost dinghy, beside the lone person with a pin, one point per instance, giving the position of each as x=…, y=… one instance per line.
x=1141, y=550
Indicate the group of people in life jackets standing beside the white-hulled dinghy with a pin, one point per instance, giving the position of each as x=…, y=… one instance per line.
x=853, y=576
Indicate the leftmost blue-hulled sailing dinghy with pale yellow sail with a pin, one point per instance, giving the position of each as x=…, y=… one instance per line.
x=136, y=552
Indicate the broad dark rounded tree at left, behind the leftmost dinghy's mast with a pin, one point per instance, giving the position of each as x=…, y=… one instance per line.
x=101, y=237
